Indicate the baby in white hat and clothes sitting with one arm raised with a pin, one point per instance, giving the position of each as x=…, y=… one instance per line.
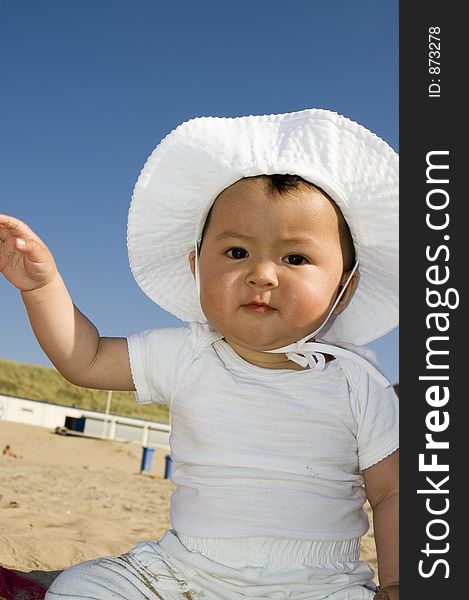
x=275, y=238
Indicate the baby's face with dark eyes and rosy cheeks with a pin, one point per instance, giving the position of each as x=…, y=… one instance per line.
x=270, y=264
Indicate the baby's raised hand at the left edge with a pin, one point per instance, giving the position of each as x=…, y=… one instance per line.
x=25, y=260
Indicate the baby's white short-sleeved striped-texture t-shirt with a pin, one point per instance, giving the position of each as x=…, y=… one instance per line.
x=263, y=452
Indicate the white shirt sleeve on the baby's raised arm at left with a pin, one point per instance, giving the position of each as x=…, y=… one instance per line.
x=157, y=358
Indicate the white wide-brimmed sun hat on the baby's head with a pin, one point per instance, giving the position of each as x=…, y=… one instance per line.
x=201, y=157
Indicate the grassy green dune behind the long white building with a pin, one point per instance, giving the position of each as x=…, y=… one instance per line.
x=44, y=383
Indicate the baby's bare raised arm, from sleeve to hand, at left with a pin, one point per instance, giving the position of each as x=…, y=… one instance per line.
x=69, y=339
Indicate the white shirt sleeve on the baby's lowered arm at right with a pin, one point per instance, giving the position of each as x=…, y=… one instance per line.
x=378, y=421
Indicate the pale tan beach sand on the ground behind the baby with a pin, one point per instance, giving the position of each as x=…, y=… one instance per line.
x=65, y=499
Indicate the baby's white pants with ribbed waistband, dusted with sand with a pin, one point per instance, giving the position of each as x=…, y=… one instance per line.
x=185, y=568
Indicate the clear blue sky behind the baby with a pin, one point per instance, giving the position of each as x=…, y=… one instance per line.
x=89, y=87
